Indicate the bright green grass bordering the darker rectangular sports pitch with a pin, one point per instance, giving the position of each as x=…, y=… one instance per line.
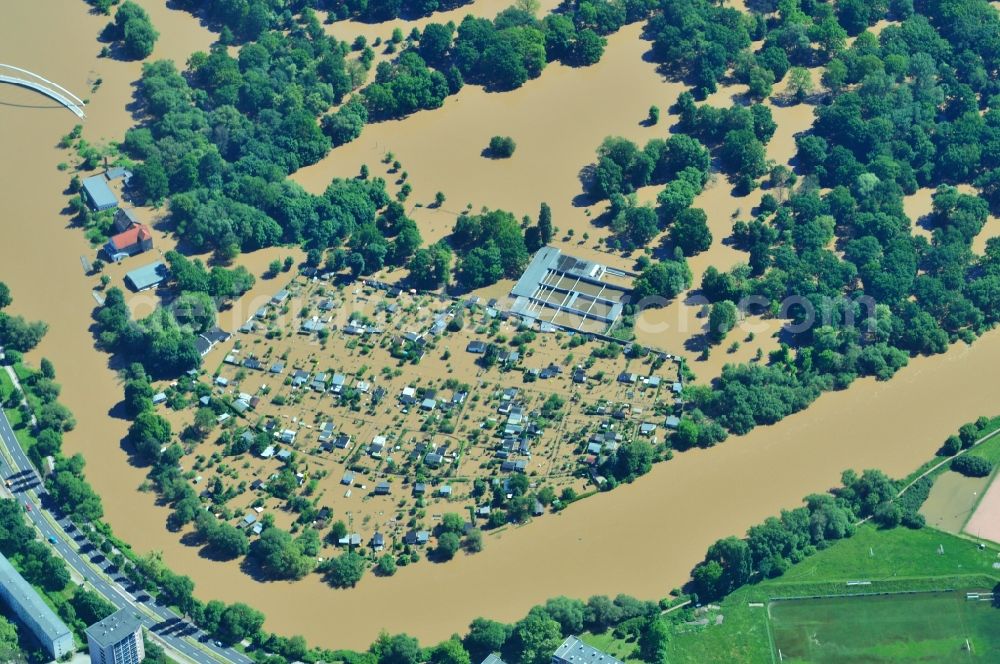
x=893, y=560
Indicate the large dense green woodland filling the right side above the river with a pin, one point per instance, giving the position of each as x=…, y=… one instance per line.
x=831, y=248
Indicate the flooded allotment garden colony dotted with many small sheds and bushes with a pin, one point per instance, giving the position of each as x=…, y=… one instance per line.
x=368, y=413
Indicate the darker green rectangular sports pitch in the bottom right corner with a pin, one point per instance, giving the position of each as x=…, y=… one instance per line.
x=924, y=627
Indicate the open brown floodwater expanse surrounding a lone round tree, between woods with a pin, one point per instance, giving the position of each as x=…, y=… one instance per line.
x=557, y=121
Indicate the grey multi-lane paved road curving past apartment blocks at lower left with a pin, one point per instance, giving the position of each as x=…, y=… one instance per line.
x=182, y=639
